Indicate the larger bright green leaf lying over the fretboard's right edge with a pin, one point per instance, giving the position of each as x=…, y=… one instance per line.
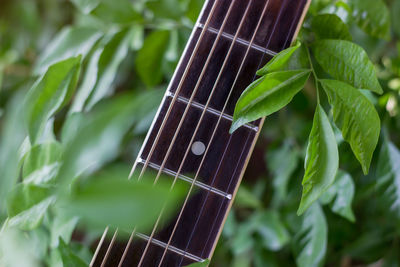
x=268, y=95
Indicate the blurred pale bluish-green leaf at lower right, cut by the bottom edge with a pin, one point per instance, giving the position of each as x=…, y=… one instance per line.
x=310, y=242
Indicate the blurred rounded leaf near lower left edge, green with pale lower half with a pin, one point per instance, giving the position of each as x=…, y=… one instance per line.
x=27, y=204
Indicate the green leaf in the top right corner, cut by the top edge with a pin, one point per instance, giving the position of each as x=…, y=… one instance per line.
x=373, y=17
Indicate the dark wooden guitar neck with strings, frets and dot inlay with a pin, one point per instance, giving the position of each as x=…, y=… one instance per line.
x=189, y=139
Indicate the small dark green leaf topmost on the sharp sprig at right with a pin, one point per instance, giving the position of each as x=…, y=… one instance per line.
x=330, y=26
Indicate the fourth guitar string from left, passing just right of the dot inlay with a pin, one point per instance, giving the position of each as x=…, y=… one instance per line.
x=219, y=119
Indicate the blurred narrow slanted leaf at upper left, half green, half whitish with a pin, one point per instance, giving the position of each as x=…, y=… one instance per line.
x=114, y=52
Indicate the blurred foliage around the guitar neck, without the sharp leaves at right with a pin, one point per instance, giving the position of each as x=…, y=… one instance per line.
x=129, y=51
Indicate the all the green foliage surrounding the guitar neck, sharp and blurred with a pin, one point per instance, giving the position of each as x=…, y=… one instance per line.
x=101, y=67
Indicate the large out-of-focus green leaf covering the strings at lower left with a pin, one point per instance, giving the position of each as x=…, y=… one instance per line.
x=113, y=200
